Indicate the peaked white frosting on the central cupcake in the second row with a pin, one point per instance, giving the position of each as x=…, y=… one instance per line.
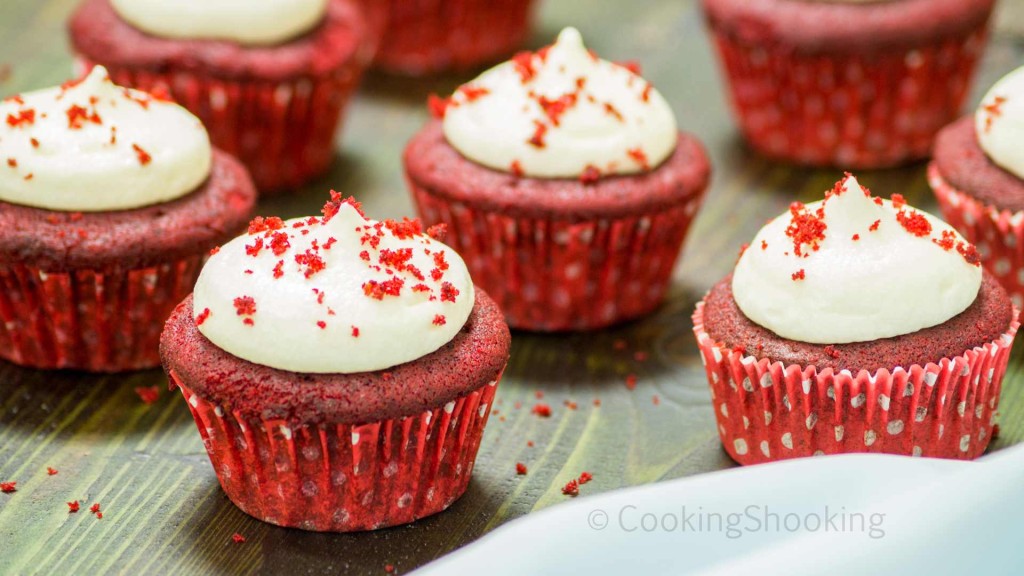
x=560, y=113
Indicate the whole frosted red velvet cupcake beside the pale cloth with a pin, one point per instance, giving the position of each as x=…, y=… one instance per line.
x=856, y=325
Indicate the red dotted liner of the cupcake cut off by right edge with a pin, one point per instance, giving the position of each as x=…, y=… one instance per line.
x=997, y=234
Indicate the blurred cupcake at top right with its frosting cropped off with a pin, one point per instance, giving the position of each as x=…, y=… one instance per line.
x=854, y=84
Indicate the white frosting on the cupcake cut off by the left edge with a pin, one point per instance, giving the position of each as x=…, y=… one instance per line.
x=94, y=146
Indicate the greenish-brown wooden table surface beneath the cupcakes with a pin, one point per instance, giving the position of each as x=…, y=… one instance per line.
x=164, y=511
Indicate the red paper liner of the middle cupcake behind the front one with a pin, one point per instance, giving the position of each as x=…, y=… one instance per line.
x=553, y=275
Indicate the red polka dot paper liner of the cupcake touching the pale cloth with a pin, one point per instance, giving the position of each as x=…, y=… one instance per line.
x=770, y=412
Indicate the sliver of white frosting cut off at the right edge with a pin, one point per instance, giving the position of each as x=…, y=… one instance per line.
x=1000, y=124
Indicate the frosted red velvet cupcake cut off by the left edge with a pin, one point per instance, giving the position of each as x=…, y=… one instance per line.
x=110, y=200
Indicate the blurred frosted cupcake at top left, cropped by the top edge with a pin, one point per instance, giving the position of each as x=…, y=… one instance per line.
x=271, y=85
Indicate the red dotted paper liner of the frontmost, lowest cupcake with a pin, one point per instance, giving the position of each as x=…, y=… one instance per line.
x=344, y=477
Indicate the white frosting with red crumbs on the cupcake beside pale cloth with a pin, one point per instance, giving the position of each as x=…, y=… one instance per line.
x=855, y=269
